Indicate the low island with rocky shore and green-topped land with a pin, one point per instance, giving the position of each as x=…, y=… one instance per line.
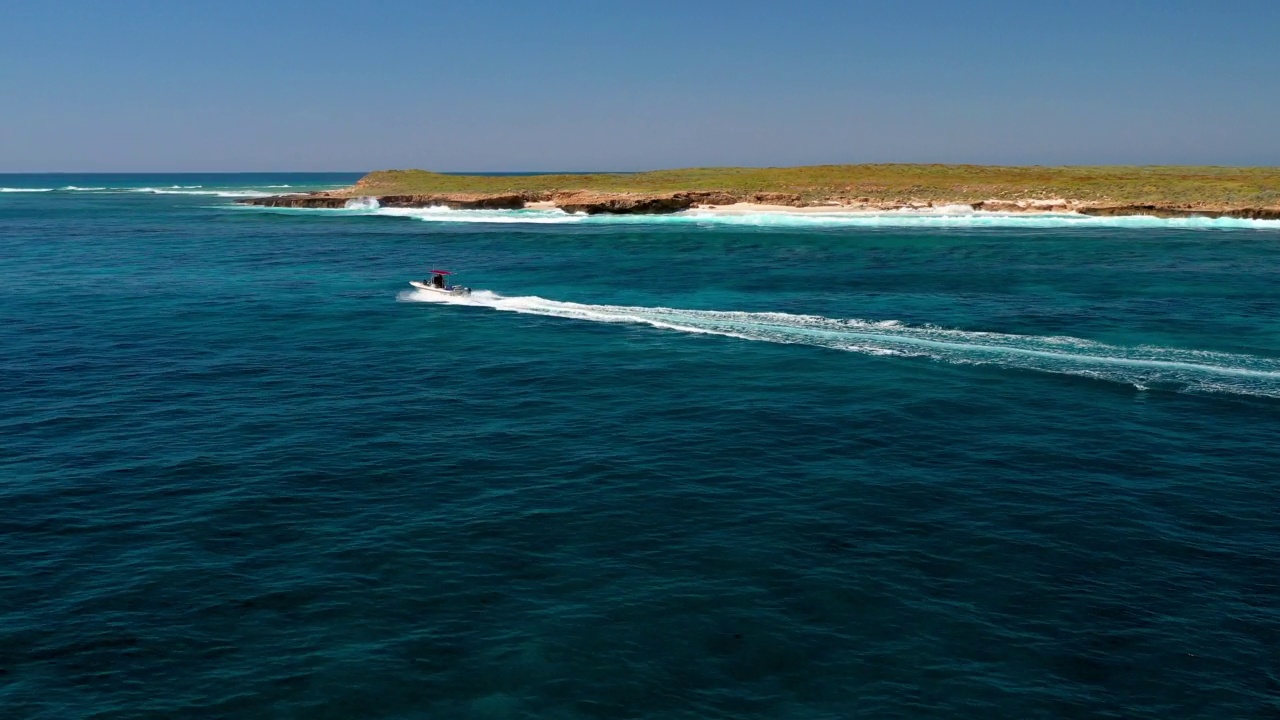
x=1160, y=192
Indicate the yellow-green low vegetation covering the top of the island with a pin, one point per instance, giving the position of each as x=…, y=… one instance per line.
x=1259, y=188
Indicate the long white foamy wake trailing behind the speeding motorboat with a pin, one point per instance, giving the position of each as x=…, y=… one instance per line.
x=1145, y=367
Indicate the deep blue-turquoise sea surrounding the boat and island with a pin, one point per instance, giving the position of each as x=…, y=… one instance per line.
x=761, y=467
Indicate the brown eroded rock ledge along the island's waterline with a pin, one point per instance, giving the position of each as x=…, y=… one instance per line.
x=662, y=203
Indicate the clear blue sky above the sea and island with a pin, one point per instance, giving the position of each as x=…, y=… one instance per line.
x=319, y=85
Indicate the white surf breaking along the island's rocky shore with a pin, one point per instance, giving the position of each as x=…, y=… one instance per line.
x=957, y=217
